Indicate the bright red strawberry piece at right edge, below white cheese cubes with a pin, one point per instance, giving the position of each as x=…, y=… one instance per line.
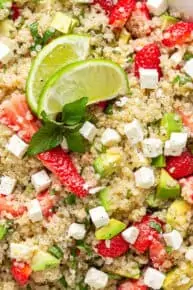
x=180, y=166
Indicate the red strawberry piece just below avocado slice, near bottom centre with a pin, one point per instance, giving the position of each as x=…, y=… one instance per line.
x=113, y=248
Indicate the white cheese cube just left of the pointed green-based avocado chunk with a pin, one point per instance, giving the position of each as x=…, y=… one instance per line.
x=144, y=177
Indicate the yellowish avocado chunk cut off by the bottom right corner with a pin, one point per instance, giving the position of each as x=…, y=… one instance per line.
x=180, y=278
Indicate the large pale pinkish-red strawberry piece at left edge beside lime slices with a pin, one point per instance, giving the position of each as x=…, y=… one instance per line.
x=15, y=114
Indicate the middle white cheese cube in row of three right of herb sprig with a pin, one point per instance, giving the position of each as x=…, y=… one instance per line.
x=152, y=147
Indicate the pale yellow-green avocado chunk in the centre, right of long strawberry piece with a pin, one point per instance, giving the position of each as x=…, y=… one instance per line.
x=107, y=163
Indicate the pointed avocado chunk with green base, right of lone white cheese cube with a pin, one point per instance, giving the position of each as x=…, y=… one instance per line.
x=167, y=187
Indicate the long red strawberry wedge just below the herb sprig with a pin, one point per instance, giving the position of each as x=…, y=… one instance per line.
x=60, y=164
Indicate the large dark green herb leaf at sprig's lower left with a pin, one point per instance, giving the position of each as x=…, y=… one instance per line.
x=48, y=137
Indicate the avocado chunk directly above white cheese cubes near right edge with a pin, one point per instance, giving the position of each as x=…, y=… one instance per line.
x=170, y=123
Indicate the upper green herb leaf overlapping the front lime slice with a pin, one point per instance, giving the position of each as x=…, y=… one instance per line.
x=74, y=113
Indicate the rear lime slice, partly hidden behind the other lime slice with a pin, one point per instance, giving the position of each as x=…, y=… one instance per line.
x=53, y=57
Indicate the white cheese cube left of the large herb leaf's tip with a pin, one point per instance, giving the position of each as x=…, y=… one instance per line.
x=16, y=146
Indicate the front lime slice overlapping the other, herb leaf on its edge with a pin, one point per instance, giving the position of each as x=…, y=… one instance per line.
x=98, y=80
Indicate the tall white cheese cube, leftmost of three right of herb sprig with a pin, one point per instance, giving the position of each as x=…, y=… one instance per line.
x=134, y=132
